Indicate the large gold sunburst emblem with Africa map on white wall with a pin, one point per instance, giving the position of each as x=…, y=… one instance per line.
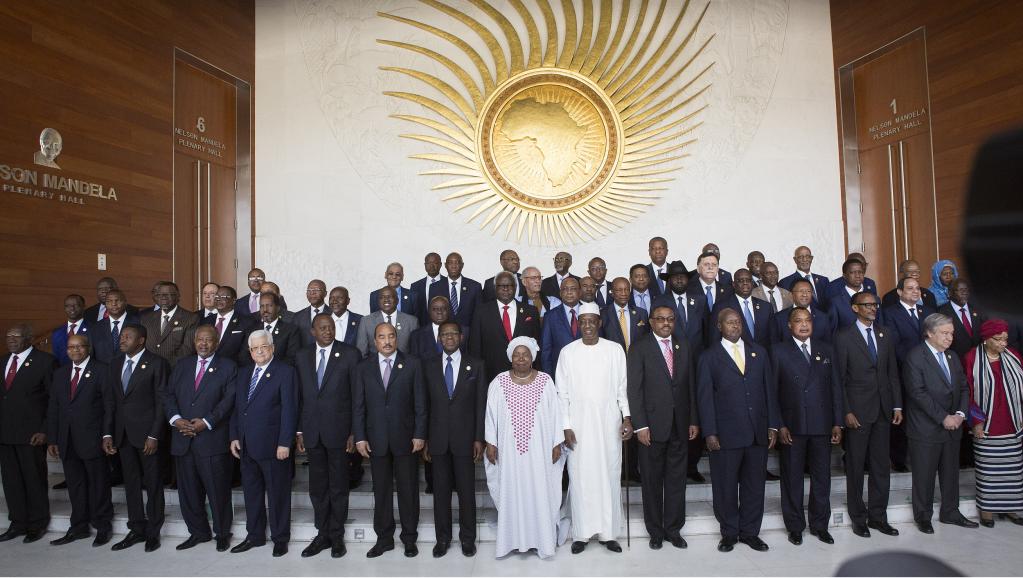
x=571, y=137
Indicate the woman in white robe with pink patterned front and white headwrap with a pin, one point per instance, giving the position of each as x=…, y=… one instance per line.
x=524, y=462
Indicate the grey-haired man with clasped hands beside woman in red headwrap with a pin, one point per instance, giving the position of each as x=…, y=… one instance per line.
x=939, y=398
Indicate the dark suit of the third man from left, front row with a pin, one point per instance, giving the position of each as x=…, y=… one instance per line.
x=135, y=414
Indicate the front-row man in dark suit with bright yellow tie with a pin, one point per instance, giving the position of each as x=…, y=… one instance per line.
x=735, y=374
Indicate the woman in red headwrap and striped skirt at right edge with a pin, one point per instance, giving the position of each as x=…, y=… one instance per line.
x=996, y=379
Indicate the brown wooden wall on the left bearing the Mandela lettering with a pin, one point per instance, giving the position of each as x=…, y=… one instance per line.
x=102, y=74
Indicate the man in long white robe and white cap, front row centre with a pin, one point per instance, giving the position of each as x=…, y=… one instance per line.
x=592, y=380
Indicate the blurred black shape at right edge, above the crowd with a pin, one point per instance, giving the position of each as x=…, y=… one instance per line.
x=993, y=232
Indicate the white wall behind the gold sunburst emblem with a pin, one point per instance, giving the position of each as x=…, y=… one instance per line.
x=337, y=197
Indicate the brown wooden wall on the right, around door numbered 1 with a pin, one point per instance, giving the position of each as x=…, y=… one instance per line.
x=975, y=74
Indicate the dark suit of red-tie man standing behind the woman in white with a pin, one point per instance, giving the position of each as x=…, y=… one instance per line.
x=487, y=340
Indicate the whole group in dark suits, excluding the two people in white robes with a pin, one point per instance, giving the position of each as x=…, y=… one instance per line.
x=731, y=364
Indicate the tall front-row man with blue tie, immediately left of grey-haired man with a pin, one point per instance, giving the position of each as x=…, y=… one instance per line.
x=865, y=353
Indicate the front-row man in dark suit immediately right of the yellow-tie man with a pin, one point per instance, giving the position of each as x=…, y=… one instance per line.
x=811, y=399
